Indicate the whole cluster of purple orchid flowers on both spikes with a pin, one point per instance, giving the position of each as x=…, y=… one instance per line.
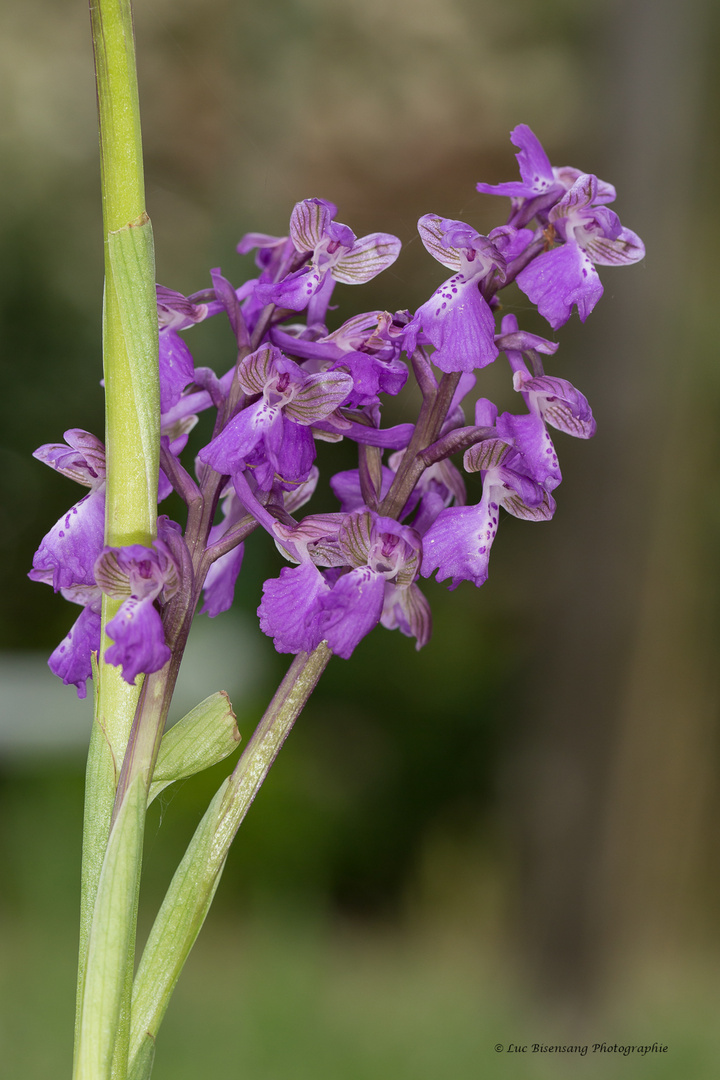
x=296, y=381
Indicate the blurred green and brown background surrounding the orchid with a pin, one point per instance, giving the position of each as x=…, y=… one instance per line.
x=512, y=835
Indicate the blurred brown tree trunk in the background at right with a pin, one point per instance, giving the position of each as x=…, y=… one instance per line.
x=614, y=774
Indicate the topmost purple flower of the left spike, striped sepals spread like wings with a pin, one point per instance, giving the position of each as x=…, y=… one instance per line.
x=336, y=255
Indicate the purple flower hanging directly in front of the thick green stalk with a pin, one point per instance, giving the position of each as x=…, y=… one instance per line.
x=139, y=576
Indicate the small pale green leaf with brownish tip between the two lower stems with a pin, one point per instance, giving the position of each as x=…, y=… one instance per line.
x=207, y=736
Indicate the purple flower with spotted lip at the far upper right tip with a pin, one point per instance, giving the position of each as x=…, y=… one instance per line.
x=566, y=277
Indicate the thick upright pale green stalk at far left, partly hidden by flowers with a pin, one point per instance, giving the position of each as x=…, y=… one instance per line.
x=130, y=353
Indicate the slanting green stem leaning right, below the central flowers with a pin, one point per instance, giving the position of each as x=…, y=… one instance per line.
x=194, y=886
